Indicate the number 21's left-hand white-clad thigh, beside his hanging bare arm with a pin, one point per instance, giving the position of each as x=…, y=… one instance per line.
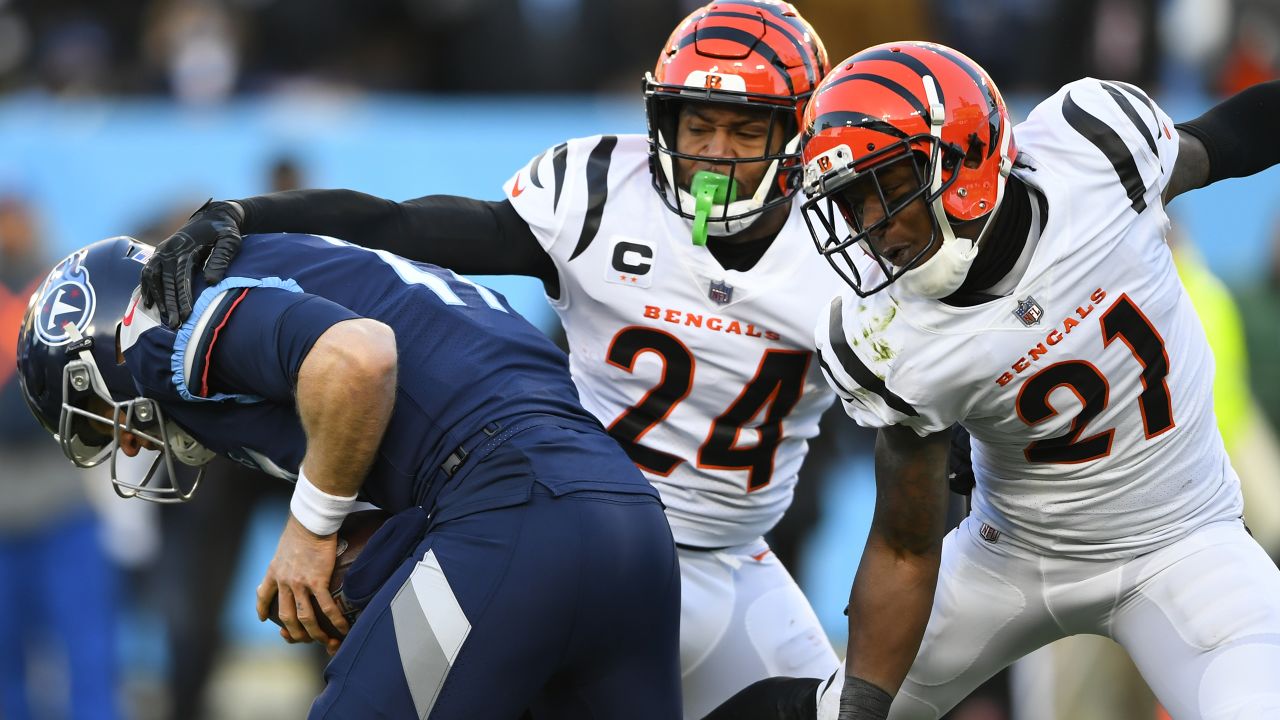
x=989, y=612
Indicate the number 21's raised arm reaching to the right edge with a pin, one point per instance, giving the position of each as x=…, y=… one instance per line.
x=1235, y=139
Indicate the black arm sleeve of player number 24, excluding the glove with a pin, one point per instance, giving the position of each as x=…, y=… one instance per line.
x=468, y=236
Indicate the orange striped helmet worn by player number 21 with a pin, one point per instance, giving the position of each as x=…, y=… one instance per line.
x=916, y=103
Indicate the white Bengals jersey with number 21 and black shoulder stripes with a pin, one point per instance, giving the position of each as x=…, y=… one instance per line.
x=1089, y=391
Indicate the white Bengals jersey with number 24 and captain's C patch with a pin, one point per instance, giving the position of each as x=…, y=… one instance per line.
x=707, y=377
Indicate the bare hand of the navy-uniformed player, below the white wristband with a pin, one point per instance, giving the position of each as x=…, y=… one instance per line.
x=300, y=575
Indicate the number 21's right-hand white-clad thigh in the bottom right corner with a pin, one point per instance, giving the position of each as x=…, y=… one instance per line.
x=1203, y=623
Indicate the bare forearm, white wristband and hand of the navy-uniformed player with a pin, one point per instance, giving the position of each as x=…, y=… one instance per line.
x=346, y=391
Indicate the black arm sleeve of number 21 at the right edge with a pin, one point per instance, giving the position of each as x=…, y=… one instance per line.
x=1240, y=133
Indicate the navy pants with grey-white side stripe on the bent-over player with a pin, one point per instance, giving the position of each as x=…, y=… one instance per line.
x=486, y=623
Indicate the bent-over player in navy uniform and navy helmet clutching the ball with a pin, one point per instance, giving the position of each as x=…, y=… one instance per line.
x=529, y=567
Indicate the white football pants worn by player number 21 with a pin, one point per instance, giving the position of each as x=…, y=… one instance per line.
x=1201, y=619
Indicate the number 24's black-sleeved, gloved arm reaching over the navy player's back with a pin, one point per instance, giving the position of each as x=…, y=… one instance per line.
x=468, y=236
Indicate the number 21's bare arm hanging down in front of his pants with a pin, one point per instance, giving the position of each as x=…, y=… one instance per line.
x=893, y=594
